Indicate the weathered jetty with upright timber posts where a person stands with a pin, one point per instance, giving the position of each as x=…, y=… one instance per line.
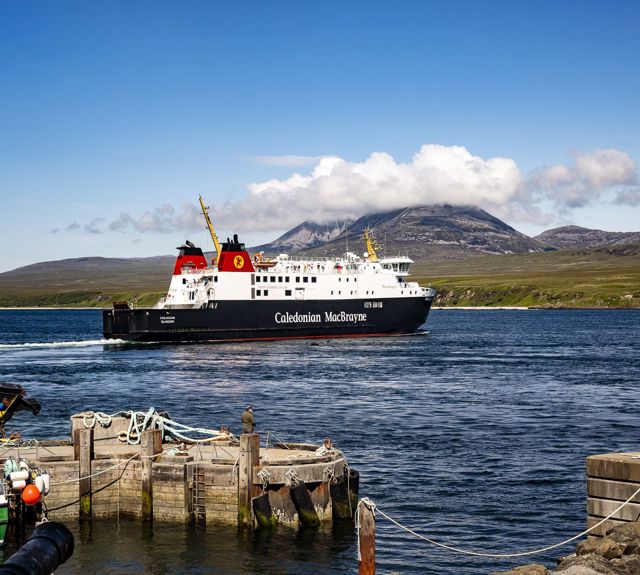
x=95, y=474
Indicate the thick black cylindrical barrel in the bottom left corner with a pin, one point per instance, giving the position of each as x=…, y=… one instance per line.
x=49, y=546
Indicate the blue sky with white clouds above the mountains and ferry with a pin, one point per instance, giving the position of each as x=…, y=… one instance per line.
x=116, y=115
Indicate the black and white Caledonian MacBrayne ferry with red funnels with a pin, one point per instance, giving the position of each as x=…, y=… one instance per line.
x=238, y=297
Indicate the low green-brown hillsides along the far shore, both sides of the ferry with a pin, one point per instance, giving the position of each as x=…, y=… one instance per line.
x=605, y=277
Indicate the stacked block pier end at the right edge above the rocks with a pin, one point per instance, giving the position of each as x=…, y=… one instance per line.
x=611, y=479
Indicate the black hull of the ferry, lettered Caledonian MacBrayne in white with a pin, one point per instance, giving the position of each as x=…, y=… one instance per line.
x=265, y=320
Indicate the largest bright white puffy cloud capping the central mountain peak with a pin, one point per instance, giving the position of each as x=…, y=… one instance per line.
x=337, y=189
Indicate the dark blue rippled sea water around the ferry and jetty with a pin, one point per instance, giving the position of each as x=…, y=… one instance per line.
x=474, y=434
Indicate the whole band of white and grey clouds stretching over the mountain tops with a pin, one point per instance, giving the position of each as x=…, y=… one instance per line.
x=336, y=189
